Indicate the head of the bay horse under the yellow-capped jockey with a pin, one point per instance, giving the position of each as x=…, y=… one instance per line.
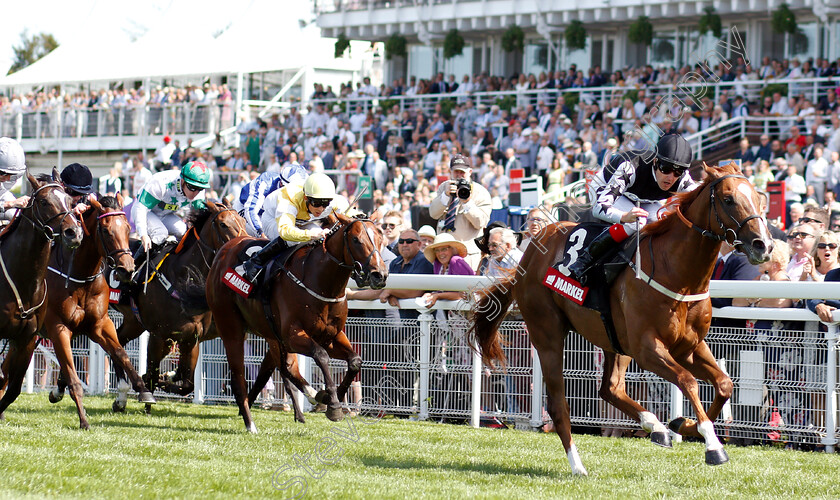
x=362, y=243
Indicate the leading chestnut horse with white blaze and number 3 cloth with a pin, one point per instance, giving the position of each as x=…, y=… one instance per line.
x=663, y=333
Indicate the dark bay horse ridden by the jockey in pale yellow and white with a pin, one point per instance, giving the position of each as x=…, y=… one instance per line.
x=308, y=308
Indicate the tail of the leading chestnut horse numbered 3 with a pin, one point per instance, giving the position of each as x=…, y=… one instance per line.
x=488, y=312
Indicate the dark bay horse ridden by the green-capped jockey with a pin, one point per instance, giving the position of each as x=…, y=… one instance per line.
x=159, y=309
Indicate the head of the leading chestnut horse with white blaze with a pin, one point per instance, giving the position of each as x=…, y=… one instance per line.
x=736, y=207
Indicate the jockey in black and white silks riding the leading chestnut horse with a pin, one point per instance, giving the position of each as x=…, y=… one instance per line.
x=651, y=176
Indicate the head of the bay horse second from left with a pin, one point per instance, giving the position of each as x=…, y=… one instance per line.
x=111, y=233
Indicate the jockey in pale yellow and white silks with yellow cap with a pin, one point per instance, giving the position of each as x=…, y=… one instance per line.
x=296, y=215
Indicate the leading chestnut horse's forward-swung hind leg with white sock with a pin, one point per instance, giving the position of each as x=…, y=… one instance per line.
x=613, y=391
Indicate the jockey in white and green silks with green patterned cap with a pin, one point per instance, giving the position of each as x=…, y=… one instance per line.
x=155, y=213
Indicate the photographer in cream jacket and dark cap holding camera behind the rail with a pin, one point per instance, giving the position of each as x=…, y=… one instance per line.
x=462, y=207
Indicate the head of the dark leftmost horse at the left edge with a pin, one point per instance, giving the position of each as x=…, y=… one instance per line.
x=49, y=210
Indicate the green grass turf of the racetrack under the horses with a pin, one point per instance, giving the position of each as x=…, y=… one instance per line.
x=188, y=451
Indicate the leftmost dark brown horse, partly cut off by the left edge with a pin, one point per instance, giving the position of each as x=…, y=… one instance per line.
x=24, y=252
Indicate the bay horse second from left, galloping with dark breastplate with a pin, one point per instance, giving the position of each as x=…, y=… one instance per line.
x=78, y=296
